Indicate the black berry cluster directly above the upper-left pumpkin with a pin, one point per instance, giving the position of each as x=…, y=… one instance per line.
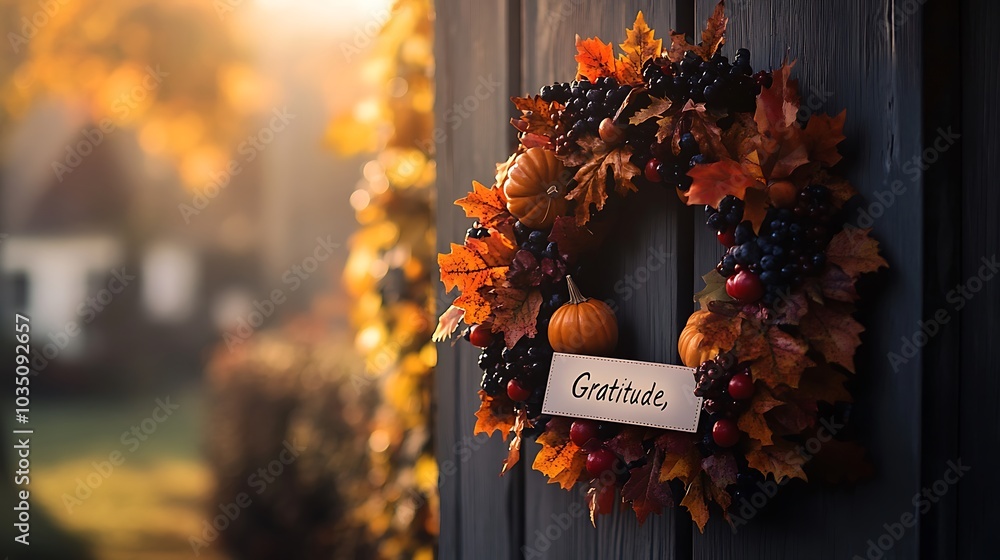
x=587, y=104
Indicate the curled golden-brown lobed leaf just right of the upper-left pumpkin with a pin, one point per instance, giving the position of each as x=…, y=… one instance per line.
x=610, y=168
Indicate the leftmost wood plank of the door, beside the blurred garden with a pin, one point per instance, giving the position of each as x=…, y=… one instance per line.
x=480, y=513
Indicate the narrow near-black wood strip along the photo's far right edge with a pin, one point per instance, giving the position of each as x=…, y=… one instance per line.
x=980, y=317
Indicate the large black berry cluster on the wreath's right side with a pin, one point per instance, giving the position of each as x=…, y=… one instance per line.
x=790, y=246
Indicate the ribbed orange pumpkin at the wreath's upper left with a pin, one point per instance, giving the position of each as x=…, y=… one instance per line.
x=533, y=189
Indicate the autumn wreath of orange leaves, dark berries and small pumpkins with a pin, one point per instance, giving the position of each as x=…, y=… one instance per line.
x=774, y=340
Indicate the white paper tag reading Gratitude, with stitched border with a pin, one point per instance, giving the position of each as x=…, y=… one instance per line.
x=640, y=393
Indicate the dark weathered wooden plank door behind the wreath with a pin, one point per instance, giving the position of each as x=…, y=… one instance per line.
x=906, y=71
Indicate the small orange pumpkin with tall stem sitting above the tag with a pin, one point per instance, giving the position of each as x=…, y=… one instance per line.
x=583, y=326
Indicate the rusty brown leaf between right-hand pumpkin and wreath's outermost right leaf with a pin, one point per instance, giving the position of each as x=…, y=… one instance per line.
x=775, y=356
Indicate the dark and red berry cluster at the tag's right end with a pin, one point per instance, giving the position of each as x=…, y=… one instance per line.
x=726, y=387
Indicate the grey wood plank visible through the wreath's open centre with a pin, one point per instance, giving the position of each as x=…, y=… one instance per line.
x=628, y=272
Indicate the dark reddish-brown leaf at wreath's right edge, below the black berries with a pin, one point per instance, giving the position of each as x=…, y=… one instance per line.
x=831, y=329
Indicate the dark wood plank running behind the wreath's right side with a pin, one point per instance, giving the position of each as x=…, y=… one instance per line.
x=852, y=54
